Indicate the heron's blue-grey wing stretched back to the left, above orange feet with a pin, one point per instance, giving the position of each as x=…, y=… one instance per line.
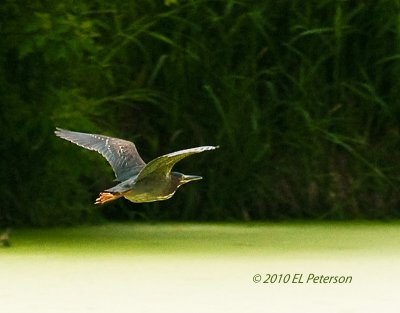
x=121, y=154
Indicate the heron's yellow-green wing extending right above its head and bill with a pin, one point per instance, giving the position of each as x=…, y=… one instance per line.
x=162, y=165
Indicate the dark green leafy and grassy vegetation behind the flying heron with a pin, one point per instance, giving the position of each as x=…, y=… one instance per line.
x=302, y=96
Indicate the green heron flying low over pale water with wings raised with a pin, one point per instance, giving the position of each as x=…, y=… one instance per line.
x=139, y=182
